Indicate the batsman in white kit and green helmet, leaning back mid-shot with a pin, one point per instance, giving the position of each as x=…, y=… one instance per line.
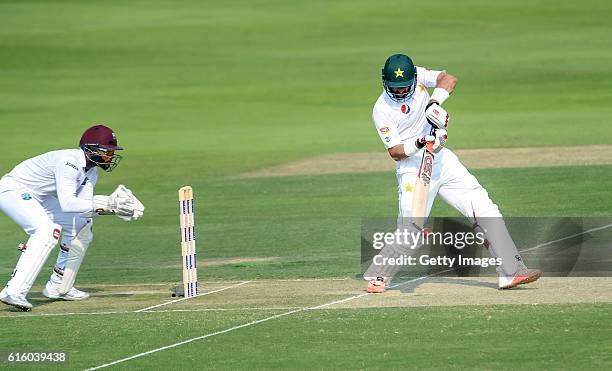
x=407, y=120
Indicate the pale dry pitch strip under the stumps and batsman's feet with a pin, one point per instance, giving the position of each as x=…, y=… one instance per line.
x=312, y=294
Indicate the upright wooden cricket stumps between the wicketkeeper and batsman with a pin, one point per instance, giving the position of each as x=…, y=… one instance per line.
x=190, y=272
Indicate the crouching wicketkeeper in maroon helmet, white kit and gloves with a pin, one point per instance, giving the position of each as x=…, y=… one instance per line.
x=51, y=197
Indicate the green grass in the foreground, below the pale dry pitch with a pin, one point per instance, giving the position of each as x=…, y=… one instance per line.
x=570, y=336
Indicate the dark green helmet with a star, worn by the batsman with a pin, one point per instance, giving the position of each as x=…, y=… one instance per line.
x=399, y=77
